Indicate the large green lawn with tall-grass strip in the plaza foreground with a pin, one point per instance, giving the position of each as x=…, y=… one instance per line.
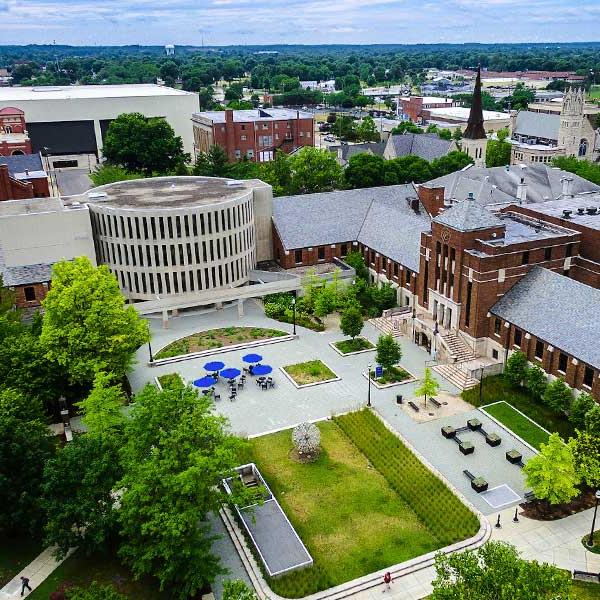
x=352, y=519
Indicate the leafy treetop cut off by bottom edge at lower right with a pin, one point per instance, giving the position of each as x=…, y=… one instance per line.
x=496, y=572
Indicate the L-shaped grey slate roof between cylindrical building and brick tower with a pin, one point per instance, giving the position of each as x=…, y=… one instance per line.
x=380, y=218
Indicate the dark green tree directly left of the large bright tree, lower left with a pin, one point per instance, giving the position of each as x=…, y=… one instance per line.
x=78, y=494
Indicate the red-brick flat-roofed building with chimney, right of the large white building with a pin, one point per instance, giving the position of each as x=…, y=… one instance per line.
x=253, y=134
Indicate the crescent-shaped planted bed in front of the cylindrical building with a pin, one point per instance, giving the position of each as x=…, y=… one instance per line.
x=217, y=338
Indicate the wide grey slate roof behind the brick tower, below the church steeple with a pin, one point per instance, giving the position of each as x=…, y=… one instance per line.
x=498, y=185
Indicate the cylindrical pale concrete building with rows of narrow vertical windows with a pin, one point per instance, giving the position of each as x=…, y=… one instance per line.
x=169, y=236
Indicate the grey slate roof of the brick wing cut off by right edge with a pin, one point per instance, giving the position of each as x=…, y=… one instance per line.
x=556, y=309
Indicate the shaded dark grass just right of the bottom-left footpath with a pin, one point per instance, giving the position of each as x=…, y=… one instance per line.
x=81, y=571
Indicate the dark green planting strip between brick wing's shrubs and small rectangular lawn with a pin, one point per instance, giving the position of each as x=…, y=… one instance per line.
x=496, y=388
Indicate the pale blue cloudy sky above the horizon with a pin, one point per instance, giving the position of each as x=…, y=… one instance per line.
x=223, y=22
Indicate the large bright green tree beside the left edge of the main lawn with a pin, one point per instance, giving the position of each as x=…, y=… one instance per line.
x=176, y=453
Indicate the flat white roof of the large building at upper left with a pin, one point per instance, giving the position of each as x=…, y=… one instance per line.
x=66, y=92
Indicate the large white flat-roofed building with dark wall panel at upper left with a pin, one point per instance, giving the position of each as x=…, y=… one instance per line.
x=71, y=121
